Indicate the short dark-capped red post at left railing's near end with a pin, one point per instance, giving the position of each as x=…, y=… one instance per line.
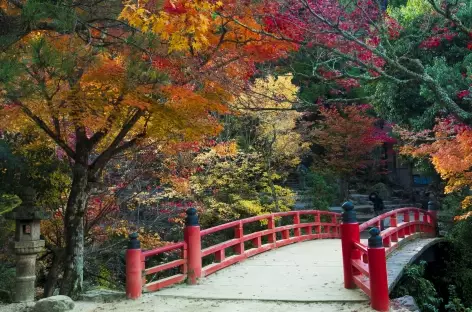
x=134, y=268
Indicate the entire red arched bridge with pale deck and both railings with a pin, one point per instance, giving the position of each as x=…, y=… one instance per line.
x=332, y=264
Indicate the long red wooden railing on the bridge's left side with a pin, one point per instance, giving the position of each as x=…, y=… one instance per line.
x=297, y=226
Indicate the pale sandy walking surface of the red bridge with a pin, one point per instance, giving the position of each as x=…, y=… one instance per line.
x=305, y=272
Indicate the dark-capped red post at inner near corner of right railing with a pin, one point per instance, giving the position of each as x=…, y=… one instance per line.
x=349, y=235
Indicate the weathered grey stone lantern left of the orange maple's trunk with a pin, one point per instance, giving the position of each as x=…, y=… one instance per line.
x=27, y=244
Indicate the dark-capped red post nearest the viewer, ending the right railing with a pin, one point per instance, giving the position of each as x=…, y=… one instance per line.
x=378, y=272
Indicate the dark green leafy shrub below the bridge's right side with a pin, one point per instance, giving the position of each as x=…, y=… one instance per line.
x=415, y=284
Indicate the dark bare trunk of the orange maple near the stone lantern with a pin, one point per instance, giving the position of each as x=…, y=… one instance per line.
x=74, y=233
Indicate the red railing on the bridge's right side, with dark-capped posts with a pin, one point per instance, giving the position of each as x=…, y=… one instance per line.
x=366, y=266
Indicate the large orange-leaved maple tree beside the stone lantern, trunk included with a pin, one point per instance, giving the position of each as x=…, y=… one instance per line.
x=95, y=86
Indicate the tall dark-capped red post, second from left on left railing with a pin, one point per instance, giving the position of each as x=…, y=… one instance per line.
x=194, y=246
